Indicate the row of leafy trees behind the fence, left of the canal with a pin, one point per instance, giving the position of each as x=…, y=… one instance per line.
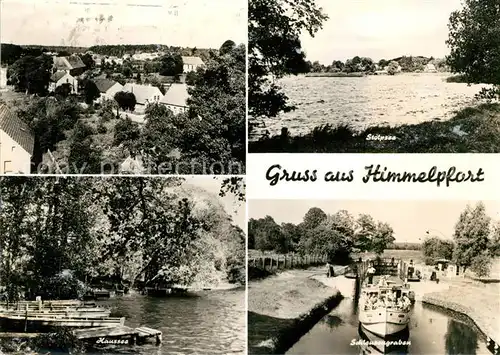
x=337, y=235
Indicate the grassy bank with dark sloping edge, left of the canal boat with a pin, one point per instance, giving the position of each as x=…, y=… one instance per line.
x=283, y=307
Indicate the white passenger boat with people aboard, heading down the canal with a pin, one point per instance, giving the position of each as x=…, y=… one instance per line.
x=385, y=308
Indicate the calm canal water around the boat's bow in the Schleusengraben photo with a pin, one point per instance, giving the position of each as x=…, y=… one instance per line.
x=432, y=331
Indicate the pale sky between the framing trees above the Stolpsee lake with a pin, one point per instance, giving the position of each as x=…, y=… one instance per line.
x=382, y=29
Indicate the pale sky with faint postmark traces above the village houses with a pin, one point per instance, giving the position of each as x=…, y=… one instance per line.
x=186, y=23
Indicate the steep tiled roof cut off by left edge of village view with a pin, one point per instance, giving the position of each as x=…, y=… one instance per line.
x=16, y=129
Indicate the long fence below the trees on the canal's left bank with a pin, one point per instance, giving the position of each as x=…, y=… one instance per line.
x=282, y=262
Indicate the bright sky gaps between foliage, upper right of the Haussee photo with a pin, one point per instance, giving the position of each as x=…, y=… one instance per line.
x=235, y=208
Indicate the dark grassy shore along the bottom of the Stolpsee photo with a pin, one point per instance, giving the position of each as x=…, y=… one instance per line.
x=471, y=130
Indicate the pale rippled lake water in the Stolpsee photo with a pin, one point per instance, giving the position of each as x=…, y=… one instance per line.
x=371, y=100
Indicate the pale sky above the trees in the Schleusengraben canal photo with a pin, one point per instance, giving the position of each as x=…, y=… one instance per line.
x=409, y=219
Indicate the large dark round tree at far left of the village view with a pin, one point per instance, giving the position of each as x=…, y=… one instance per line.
x=31, y=74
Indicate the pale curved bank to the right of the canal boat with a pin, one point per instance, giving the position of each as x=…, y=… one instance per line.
x=477, y=301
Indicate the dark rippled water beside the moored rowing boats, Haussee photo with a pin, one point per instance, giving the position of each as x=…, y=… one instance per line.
x=211, y=322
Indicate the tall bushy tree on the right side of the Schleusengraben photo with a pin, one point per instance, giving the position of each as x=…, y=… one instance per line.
x=471, y=234
